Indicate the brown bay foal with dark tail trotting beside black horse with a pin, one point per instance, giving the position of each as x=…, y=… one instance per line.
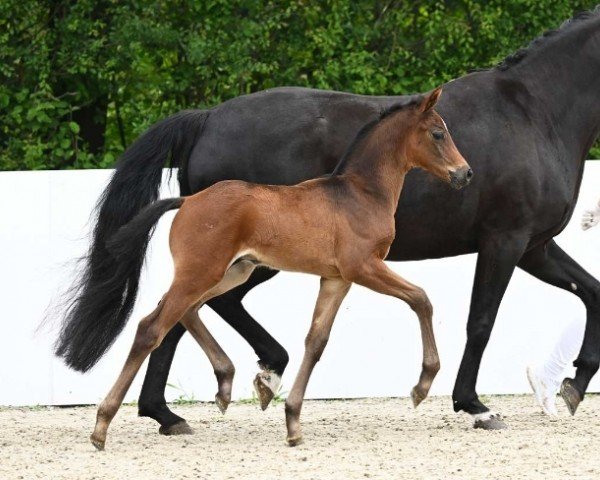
x=338, y=227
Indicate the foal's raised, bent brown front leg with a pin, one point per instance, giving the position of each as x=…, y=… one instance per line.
x=378, y=277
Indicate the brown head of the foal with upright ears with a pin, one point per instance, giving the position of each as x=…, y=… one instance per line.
x=428, y=144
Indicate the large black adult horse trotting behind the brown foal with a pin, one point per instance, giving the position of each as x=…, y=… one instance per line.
x=525, y=127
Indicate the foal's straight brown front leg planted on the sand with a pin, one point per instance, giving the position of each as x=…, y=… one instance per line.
x=331, y=295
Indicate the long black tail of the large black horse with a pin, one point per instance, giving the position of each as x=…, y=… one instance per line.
x=101, y=300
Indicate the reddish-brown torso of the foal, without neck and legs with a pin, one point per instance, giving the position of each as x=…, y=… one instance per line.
x=294, y=228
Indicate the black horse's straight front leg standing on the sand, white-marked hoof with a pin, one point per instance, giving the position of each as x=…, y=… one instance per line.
x=496, y=262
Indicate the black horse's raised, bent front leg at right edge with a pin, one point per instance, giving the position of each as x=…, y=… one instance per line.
x=552, y=265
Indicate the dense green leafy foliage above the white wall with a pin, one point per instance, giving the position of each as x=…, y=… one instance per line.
x=80, y=80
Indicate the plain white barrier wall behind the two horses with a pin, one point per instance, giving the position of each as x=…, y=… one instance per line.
x=374, y=348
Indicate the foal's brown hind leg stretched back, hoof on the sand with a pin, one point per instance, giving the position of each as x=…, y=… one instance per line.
x=150, y=333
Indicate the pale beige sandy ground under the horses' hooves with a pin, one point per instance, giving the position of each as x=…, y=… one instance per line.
x=371, y=438
